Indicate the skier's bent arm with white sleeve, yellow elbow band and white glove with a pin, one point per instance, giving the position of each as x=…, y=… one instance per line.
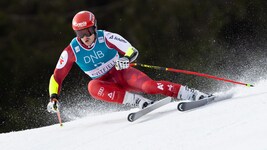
x=125, y=49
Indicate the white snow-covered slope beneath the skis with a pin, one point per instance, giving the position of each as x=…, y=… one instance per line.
x=239, y=123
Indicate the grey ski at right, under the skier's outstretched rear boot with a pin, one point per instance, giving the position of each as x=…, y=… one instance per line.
x=187, y=105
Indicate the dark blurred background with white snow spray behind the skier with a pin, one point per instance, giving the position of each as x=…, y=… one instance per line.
x=225, y=38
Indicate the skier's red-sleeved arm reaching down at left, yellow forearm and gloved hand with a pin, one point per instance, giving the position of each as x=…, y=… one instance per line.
x=62, y=69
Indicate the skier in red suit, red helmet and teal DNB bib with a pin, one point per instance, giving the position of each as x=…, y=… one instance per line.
x=105, y=57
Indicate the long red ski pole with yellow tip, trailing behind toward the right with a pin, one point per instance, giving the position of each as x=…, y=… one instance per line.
x=189, y=72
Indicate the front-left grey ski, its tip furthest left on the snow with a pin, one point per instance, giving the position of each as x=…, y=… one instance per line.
x=136, y=115
